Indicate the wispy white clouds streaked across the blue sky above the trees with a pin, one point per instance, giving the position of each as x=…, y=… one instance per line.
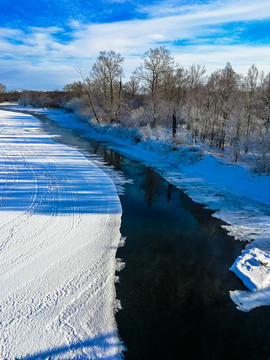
x=39, y=50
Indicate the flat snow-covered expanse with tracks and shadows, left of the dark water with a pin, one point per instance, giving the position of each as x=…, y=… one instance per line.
x=59, y=231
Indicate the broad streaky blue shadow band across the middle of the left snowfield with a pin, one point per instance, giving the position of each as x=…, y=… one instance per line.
x=53, y=180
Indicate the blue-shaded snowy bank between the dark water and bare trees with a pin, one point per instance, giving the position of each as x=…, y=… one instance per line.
x=238, y=197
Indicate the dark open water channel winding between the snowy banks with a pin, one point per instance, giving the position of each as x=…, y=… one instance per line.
x=175, y=287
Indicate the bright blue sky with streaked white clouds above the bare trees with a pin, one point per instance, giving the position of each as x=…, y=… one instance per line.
x=43, y=42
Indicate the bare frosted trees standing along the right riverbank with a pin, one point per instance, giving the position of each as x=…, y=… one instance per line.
x=225, y=110
